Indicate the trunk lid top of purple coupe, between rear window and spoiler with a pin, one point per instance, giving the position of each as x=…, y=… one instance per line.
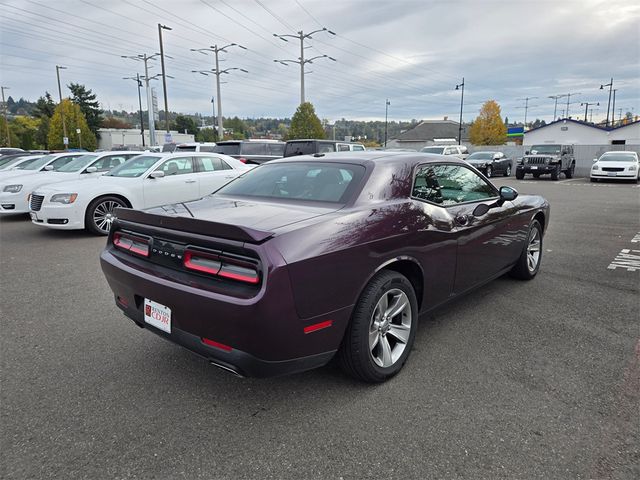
x=255, y=214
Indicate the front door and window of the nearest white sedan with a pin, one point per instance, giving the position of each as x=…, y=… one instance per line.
x=179, y=184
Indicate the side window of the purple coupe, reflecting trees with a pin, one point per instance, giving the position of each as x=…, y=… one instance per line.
x=450, y=185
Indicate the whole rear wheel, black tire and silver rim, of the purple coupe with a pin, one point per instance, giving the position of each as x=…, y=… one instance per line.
x=355, y=356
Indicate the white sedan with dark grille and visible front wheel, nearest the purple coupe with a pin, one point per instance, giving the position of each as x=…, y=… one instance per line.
x=149, y=180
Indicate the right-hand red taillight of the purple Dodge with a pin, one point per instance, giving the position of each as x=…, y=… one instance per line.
x=221, y=265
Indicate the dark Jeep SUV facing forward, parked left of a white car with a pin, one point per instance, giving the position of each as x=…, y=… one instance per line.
x=542, y=159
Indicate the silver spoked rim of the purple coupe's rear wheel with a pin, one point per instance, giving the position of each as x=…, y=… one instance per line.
x=390, y=328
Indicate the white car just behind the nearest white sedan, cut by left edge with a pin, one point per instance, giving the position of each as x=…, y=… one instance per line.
x=15, y=190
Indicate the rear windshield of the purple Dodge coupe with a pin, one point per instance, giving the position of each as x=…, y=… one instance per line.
x=320, y=182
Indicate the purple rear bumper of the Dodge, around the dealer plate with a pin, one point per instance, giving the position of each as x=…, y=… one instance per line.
x=258, y=337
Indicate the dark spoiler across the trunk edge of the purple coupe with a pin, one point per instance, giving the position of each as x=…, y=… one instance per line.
x=194, y=225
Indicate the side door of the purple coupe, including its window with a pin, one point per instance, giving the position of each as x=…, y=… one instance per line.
x=485, y=243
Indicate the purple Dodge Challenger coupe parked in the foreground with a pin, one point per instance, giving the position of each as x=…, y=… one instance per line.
x=303, y=259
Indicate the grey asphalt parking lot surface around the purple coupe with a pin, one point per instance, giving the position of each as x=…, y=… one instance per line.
x=516, y=380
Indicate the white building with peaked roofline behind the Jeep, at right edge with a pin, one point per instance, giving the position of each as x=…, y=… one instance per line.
x=573, y=132
